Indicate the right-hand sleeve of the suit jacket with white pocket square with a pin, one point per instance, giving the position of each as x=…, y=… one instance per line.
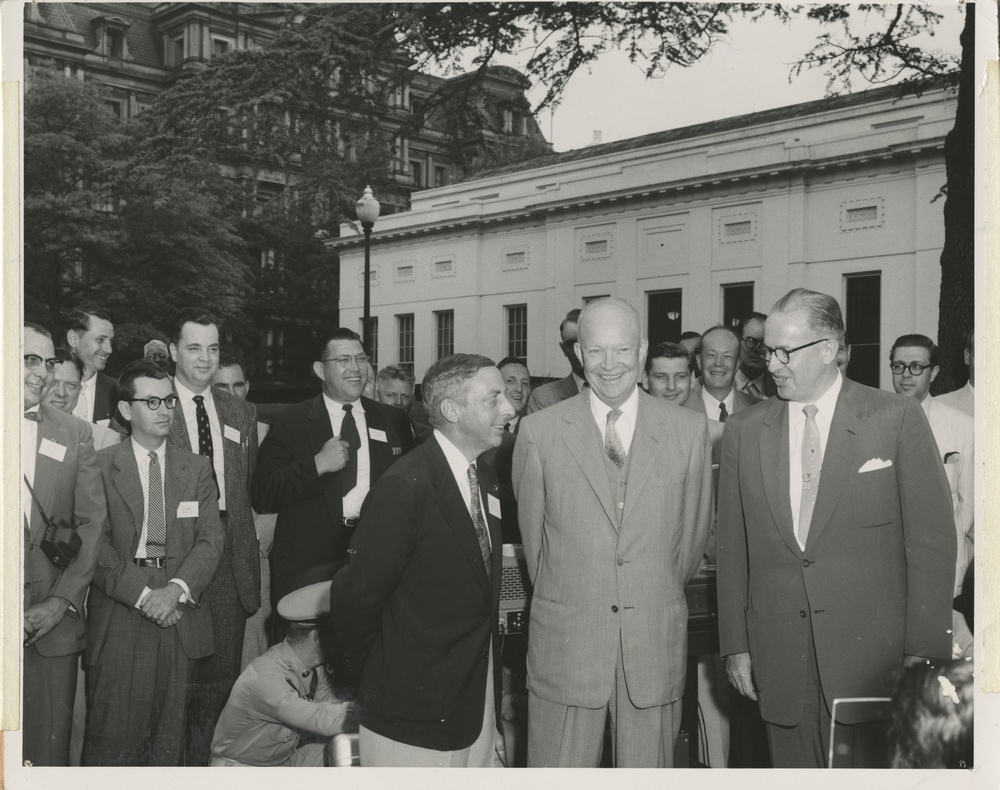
x=929, y=537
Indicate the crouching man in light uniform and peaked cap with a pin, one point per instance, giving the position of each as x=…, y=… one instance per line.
x=287, y=692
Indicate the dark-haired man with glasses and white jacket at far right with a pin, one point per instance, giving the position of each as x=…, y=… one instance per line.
x=913, y=362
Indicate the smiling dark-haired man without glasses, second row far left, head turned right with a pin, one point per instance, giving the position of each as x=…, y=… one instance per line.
x=89, y=335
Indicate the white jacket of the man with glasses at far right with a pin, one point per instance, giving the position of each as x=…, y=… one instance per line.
x=955, y=435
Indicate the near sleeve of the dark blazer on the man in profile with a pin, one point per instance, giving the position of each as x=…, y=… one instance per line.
x=380, y=551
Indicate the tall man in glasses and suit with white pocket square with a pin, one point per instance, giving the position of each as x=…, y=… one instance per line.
x=836, y=552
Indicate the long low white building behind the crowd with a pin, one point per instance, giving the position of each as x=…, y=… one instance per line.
x=694, y=226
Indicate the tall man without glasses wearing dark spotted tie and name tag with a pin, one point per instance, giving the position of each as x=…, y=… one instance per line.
x=222, y=428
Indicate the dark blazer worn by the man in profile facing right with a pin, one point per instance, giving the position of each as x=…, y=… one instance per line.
x=414, y=610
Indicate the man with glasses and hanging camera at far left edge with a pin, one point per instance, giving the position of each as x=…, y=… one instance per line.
x=58, y=462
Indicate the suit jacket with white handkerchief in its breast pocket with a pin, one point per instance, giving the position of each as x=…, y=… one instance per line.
x=879, y=563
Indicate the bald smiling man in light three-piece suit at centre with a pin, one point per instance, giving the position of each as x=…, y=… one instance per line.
x=614, y=498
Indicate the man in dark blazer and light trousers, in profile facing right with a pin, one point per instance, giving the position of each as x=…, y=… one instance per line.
x=416, y=609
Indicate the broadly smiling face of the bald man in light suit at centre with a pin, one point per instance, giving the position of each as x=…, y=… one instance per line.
x=611, y=351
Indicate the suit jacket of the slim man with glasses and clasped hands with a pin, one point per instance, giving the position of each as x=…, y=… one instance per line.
x=194, y=544
